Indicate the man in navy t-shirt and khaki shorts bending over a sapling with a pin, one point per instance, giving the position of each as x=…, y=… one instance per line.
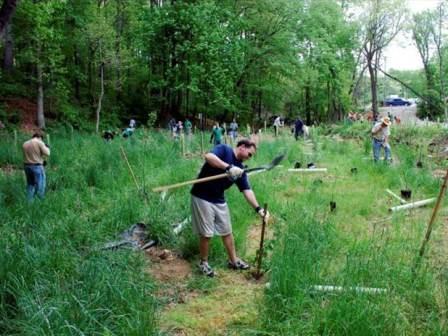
x=210, y=213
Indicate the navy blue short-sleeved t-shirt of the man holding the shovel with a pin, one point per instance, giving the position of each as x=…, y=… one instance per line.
x=213, y=191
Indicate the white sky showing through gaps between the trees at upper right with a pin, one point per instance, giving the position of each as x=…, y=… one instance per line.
x=402, y=54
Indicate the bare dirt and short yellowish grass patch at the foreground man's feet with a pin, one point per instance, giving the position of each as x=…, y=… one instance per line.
x=201, y=306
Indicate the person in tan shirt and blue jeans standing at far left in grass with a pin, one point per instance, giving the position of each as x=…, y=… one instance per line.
x=34, y=152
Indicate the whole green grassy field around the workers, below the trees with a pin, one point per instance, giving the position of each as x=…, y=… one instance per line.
x=55, y=279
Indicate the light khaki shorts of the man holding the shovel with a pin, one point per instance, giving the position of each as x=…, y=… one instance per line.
x=209, y=219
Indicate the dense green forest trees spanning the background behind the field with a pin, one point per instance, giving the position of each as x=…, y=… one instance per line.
x=96, y=64
